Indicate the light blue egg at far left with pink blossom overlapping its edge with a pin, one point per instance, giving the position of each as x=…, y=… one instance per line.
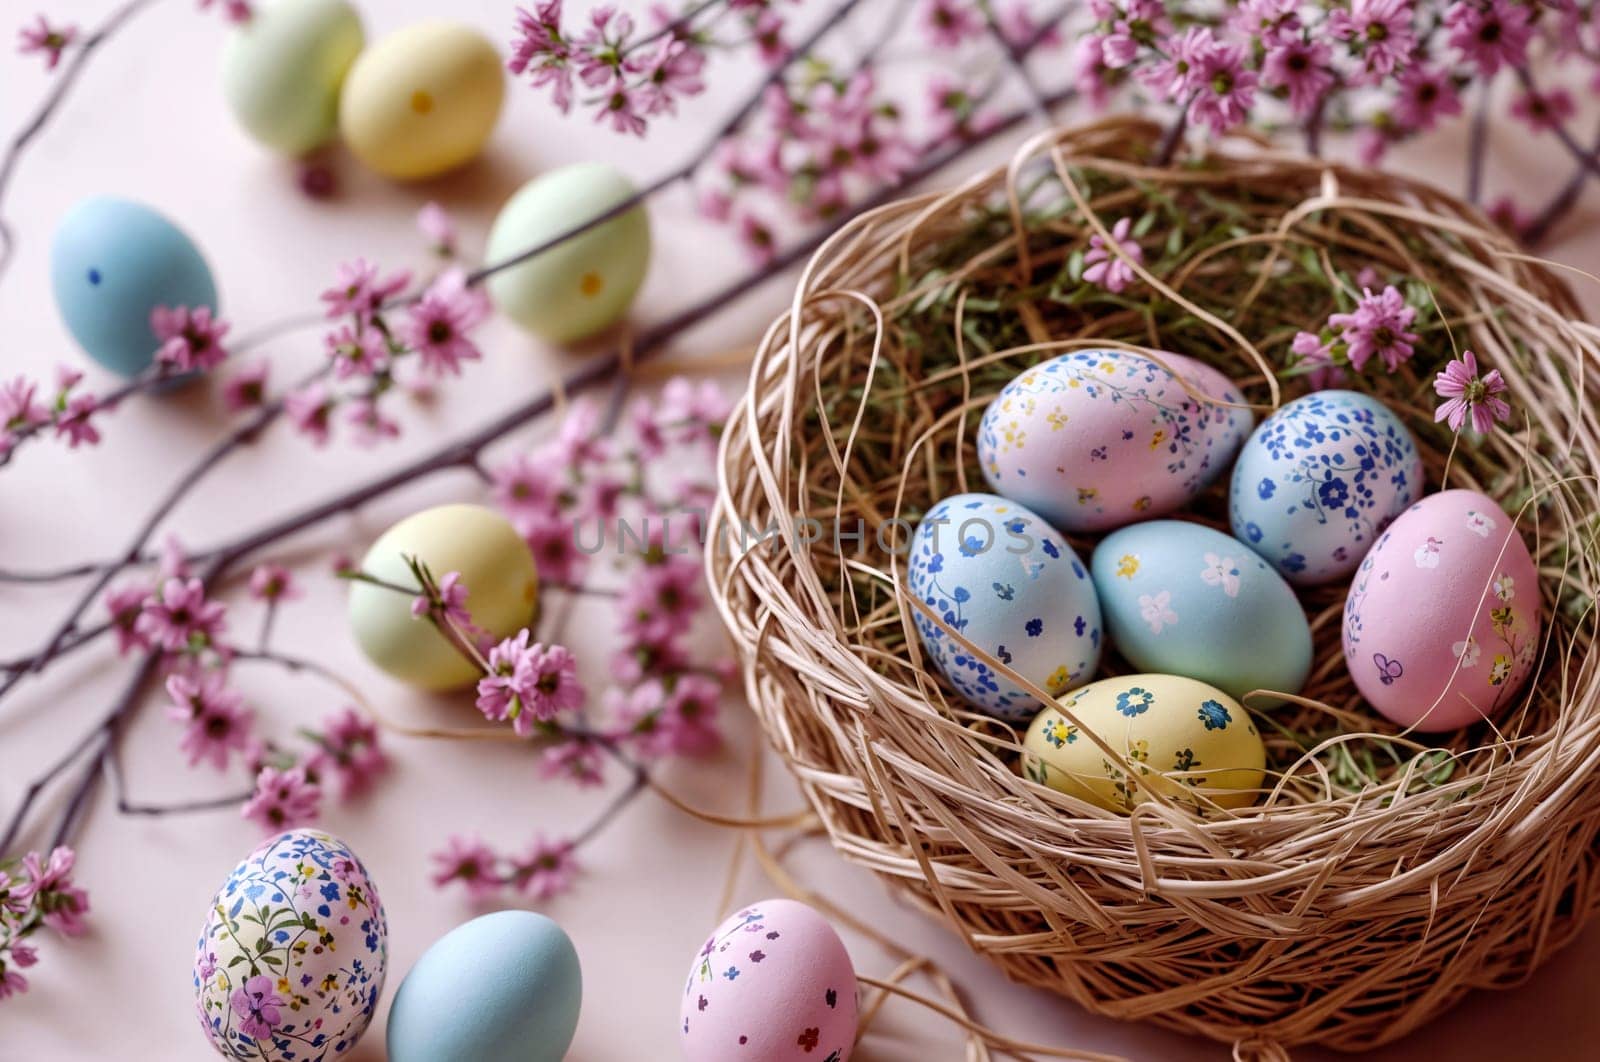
x=111, y=265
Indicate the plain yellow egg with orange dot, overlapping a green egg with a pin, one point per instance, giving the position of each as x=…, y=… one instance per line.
x=423, y=100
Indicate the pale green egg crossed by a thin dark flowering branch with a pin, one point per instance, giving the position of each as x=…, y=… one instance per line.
x=582, y=285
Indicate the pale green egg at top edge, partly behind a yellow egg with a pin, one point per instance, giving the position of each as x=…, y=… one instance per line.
x=284, y=66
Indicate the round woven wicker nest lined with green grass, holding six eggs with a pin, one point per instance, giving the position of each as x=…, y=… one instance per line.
x=1385, y=876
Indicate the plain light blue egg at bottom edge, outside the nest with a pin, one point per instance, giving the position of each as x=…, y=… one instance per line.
x=505, y=988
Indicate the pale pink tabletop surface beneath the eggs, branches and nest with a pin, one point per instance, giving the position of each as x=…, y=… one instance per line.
x=148, y=122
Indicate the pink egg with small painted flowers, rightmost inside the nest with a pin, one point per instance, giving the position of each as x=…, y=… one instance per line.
x=1442, y=621
